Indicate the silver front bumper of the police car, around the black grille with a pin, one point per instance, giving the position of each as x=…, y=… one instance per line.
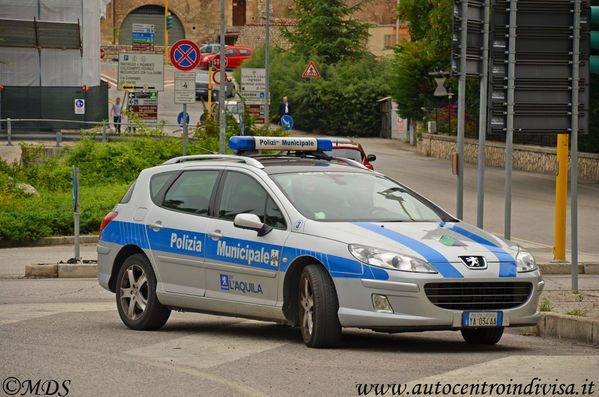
x=413, y=311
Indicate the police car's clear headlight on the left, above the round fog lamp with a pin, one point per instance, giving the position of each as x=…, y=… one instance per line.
x=389, y=260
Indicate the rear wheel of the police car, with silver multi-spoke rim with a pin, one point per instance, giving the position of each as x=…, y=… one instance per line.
x=136, y=298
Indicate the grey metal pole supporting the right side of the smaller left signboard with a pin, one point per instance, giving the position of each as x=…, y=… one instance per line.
x=482, y=120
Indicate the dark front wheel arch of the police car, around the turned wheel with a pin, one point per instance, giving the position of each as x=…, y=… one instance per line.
x=291, y=282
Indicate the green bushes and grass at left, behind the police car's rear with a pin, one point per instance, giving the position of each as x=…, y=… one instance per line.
x=106, y=170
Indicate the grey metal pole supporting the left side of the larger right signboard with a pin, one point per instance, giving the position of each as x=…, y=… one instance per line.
x=509, y=138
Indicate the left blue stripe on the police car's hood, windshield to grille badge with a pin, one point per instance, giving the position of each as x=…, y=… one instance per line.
x=434, y=257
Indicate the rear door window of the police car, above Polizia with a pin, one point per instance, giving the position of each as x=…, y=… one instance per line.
x=191, y=192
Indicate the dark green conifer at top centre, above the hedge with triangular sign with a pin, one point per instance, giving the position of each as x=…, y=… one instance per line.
x=326, y=29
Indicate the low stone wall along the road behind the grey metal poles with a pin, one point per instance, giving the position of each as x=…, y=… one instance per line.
x=525, y=157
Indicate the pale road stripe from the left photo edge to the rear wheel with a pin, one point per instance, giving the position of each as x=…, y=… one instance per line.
x=14, y=313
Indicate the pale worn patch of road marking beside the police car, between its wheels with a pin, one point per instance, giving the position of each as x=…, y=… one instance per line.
x=205, y=350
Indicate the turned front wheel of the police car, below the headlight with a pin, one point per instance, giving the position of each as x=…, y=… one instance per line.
x=318, y=305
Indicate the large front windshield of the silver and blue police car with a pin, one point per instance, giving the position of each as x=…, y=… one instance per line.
x=355, y=197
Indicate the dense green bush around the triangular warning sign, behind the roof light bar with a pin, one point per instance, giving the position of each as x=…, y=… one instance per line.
x=346, y=93
